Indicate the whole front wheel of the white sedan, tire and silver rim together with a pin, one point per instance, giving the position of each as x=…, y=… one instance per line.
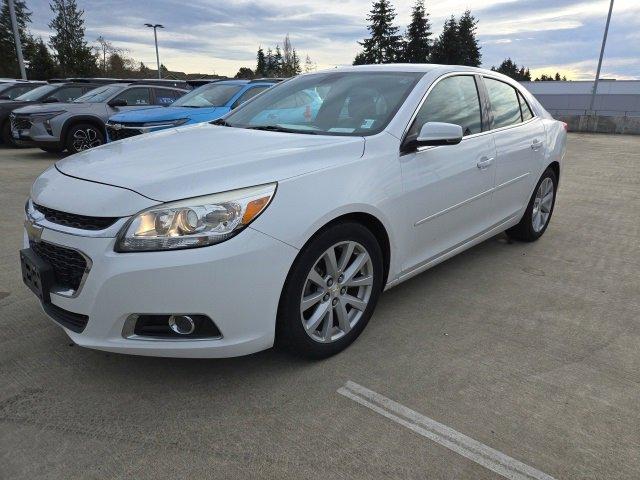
x=331, y=291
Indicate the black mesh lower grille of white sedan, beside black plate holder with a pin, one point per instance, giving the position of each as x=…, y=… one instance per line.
x=68, y=265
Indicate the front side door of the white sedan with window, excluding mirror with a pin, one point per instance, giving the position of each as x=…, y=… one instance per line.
x=448, y=188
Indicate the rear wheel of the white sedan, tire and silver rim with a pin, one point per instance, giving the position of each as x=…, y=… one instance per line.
x=536, y=217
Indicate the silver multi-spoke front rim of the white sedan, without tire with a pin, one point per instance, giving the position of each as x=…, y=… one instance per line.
x=336, y=292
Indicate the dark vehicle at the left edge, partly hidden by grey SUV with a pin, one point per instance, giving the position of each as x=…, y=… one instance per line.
x=51, y=93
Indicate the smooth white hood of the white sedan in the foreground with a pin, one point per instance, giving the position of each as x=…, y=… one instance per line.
x=191, y=161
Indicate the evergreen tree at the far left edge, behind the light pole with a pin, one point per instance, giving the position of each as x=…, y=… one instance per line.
x=8, y=55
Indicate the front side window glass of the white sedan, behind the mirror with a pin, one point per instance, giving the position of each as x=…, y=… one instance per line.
x=452, y=100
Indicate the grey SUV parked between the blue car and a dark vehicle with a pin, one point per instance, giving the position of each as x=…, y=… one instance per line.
x=80, y=124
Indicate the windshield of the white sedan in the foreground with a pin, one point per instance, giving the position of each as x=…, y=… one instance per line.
x=340, y=103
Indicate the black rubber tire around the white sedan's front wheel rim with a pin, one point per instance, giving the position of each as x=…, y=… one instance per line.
x=290, y=332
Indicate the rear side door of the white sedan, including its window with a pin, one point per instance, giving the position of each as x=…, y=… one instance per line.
x=519, y=137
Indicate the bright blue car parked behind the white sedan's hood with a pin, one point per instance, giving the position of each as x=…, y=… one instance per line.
x=205, y=103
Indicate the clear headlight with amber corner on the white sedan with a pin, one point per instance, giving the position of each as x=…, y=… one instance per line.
x=194, y=222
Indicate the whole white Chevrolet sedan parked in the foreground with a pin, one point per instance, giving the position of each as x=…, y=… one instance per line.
x=224, y=239
